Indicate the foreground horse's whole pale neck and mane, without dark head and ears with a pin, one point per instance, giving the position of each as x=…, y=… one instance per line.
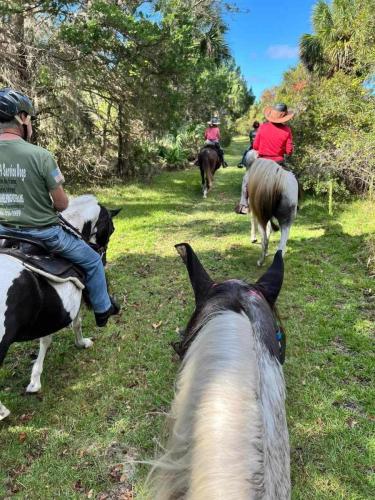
x=228, y=436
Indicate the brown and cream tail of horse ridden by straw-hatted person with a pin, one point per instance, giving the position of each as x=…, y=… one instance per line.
x=266, y=184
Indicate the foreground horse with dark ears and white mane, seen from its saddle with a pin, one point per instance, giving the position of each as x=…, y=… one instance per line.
x=228, y=434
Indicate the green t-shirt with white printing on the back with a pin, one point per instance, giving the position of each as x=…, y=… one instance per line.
x=27, y=174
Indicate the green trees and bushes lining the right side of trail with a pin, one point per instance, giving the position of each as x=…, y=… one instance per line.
x=332, y=93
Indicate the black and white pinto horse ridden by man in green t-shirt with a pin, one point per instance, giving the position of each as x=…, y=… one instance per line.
x=32, y=307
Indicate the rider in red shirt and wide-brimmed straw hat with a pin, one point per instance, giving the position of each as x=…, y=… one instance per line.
x=273, y=141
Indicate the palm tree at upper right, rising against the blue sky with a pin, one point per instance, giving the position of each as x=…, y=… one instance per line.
x=330, y=48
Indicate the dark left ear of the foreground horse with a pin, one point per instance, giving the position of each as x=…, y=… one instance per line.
x=199, y=279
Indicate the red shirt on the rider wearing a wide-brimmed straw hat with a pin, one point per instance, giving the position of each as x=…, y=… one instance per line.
x=273, y=140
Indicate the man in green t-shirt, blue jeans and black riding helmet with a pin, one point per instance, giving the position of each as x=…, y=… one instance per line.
x=31, y=194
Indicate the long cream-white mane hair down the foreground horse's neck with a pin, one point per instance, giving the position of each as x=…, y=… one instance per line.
x=216, y=437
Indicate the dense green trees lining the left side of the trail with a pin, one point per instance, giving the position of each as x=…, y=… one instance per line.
x=121, y=85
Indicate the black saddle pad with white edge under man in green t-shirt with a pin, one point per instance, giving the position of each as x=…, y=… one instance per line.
x=35, y=257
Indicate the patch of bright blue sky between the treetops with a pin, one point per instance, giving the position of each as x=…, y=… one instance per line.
x=264, y=41
